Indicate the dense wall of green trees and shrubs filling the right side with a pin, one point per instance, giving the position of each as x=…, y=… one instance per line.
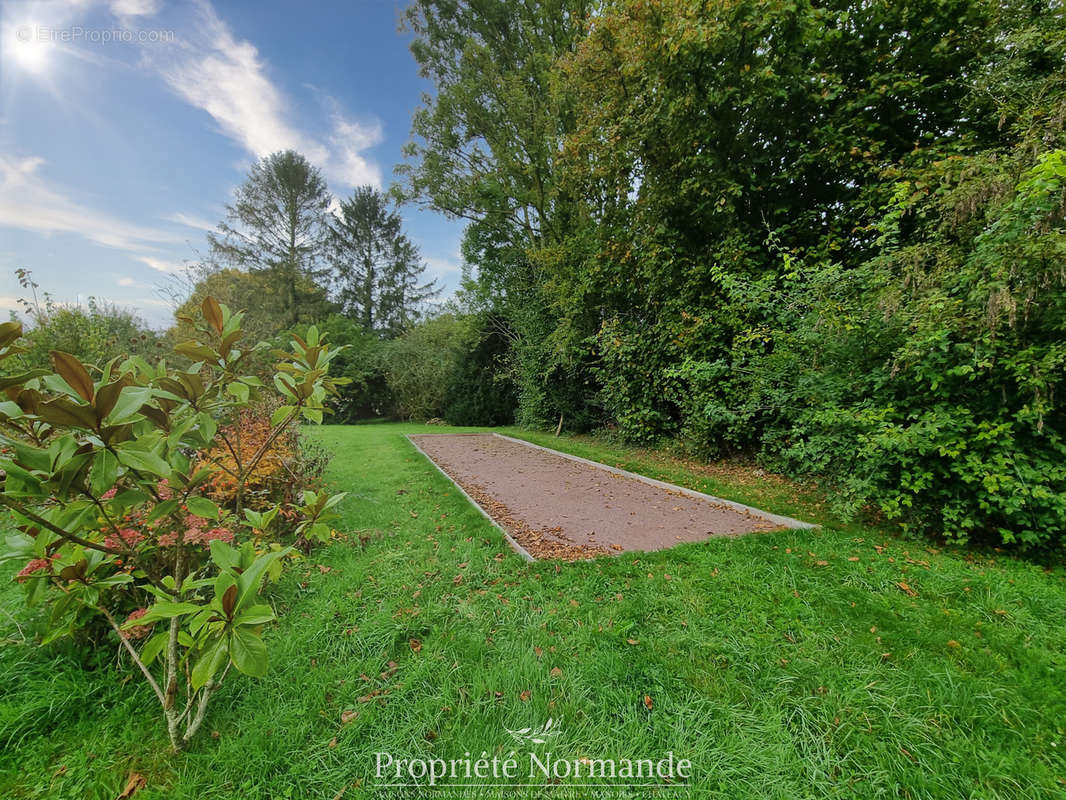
x=841, y=250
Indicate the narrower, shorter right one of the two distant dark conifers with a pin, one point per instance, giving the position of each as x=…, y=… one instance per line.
x=377, y=268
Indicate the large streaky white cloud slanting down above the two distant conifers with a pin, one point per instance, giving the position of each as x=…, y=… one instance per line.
x=227, y=77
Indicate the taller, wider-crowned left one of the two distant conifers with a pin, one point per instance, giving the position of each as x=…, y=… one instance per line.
x=278, y=225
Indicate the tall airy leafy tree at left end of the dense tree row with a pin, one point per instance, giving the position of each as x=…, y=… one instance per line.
x=487, y=149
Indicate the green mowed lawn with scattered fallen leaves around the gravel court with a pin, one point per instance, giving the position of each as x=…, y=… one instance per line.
x=841, y=663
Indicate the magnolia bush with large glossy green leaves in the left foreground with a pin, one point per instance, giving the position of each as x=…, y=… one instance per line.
x=106, y=474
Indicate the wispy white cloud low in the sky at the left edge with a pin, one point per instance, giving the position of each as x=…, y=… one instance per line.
x=28, y=202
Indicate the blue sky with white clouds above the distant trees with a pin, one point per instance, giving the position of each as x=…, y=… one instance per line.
x=125, y=126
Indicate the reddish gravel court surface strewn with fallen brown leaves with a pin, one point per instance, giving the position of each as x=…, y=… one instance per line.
x=559, y=508
